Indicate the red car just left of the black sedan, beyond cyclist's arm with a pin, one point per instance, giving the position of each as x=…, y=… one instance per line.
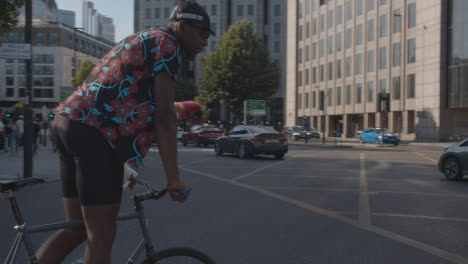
x=201, y=134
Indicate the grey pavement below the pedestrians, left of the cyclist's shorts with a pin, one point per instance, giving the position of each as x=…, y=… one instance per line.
x=45, y=164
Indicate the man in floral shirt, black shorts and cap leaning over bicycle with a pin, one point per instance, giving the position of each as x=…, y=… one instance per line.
x=109, y=120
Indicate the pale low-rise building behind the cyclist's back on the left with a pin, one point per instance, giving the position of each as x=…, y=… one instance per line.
x=58, y=52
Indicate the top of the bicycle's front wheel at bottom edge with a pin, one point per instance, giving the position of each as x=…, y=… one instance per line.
x=180, y=256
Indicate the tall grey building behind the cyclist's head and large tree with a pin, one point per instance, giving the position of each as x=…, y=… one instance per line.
x=268, y=19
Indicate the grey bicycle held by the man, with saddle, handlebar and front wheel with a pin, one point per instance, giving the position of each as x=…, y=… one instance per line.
x=170, y=255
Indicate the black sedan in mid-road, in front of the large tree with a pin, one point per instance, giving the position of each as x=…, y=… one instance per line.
x=249, y=140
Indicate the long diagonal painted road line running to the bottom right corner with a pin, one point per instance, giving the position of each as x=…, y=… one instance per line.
x=380, y=231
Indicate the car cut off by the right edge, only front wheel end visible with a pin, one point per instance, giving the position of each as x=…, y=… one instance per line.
x=453, y=162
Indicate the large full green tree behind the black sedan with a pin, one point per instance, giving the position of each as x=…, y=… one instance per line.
x=240, y=69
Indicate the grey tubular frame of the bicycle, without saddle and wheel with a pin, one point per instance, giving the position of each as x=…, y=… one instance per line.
x=24, y=231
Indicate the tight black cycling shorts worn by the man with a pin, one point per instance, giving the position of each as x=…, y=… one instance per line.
x=89, y=168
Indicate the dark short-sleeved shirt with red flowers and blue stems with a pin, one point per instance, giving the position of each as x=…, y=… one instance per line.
x=117, y=97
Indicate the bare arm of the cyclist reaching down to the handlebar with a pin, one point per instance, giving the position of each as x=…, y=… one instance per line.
x=165, y=127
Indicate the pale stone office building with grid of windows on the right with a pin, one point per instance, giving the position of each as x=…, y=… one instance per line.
x=377, y=63
